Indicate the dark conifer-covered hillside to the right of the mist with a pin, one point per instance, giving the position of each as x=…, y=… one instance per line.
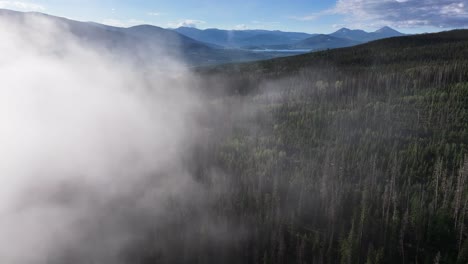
x=355, y=155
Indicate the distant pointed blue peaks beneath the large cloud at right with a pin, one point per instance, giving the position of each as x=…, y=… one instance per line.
x=363, y=36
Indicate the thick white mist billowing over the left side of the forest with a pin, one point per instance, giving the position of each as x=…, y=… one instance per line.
x=93, y=147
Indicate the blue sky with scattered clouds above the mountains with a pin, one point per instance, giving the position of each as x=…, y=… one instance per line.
x=311, y=16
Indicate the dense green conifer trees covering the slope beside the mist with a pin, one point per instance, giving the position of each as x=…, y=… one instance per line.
x=375, y=134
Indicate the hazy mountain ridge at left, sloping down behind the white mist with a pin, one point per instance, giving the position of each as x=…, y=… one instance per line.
x=142, y=44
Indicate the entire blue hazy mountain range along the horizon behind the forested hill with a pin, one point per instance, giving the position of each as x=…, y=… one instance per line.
x=148, y=44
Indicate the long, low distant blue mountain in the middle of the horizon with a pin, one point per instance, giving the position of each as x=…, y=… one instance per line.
x=241, y=38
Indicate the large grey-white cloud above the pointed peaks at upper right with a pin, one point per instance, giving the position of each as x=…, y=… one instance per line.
x=405, y=13
